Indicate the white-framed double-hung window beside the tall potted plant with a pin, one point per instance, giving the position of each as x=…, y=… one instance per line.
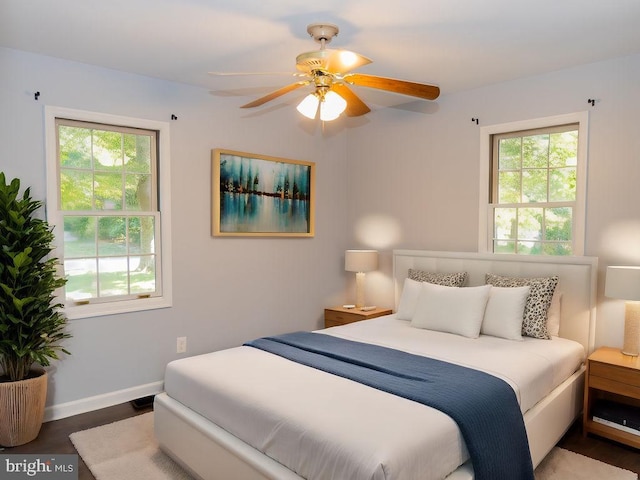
x=104, y=185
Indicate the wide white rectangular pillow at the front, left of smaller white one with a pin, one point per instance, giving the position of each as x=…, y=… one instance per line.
x=451, y=309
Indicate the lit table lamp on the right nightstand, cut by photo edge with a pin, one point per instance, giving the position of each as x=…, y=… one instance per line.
x=624, y=283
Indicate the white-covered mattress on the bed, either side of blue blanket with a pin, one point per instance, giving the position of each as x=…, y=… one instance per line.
x=322, y=426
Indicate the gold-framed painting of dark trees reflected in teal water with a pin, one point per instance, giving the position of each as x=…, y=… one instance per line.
x=258, y=195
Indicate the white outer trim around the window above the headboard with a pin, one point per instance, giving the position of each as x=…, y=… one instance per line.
x=485, y=220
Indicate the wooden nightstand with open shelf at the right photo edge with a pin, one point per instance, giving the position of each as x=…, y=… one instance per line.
x=611, y=377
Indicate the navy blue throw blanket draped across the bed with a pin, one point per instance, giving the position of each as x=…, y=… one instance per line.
x=484, y=407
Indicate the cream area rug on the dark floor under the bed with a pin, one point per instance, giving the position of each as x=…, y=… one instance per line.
x=127, y=450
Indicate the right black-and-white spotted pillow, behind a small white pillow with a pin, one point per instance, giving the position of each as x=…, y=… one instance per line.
x=535, y=310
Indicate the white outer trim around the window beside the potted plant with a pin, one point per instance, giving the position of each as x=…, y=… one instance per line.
x=55, y=218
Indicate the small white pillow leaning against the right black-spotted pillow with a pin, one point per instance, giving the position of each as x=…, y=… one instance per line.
x=505, y=312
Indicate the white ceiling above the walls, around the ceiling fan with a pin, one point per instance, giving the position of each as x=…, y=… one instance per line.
x=456, y=44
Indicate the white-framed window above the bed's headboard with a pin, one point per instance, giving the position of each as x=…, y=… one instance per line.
x=536, y=187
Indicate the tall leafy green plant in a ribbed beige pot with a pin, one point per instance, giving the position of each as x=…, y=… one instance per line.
x=31, y=323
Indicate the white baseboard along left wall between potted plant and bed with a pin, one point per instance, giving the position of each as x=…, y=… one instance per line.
x=84, y=405
